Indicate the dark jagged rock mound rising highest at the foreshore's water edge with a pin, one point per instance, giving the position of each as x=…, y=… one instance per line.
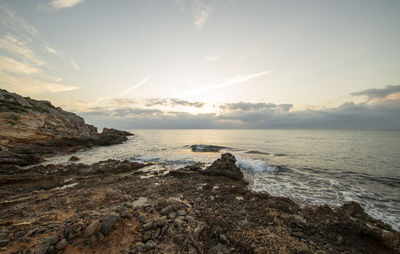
x=225, y=166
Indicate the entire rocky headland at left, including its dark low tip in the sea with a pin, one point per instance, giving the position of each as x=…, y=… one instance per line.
x=30, y=130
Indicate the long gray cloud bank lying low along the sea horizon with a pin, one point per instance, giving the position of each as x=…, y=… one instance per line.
x=384, y=114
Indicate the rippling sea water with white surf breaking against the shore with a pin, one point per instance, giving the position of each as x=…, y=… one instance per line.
x=310, y=166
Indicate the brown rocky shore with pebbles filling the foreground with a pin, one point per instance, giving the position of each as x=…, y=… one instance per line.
x=128, y=207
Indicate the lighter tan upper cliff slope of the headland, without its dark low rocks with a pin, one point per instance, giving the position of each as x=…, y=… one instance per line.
x=25, y=120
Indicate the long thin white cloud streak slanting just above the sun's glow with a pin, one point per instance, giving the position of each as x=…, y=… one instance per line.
x=226, y=83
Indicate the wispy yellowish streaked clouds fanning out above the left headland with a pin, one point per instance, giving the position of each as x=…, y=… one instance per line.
x=22, y=49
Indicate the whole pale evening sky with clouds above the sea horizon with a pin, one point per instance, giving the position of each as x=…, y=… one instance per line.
x=208, y=63
